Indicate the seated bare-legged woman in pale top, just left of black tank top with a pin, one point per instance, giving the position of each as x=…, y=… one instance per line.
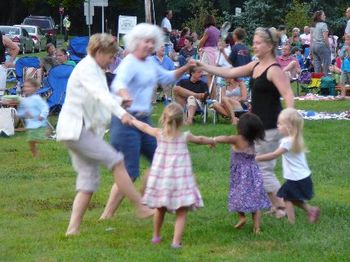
x=234, y=98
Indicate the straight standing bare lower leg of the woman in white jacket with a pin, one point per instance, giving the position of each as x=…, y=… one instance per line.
x=80, y=204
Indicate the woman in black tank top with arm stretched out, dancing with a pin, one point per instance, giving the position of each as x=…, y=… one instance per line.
x=268, y=83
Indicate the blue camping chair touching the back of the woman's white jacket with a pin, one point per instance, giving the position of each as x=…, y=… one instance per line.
x=57, y=84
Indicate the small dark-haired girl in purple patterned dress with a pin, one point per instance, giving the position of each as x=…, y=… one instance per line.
x=247, y=194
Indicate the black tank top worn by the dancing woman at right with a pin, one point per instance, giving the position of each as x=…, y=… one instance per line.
x=266, y=101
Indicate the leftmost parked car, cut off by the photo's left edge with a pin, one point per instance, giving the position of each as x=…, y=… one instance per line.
x=20, y=37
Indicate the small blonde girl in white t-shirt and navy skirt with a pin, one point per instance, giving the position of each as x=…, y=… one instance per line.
x=298, y=186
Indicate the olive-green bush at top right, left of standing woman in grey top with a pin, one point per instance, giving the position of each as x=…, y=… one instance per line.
x=298, y=16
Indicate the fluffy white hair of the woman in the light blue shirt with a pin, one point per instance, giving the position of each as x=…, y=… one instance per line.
x=141, y=32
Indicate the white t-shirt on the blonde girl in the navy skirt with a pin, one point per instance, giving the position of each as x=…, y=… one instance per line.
x=294, y=164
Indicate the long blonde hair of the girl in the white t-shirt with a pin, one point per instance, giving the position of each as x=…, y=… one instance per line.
x=295, y=126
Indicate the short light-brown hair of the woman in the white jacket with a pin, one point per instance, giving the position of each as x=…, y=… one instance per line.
x=105, y=43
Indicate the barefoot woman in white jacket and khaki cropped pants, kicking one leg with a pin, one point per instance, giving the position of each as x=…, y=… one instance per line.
x=81, y=125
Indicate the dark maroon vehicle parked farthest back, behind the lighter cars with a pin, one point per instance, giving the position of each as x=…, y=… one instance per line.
x=47, y=25
